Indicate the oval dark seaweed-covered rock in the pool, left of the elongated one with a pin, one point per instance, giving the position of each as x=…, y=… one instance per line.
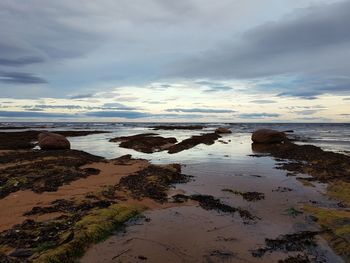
x=146, y=142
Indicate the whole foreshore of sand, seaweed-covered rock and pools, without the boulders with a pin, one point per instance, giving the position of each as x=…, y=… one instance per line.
x=183, y=194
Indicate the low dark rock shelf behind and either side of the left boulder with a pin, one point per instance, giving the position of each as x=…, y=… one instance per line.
x=25, y=139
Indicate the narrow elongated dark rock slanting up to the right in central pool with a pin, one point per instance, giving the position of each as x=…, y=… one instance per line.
x=206, y=138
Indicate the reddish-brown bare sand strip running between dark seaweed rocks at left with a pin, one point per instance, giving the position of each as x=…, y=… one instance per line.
x=16, y=204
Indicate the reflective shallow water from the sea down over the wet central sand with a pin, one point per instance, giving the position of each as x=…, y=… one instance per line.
x=191, y=234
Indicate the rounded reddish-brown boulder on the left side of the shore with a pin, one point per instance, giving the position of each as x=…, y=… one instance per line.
x=53, y=141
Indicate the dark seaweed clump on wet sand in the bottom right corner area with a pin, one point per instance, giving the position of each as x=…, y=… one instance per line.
x=296, y=242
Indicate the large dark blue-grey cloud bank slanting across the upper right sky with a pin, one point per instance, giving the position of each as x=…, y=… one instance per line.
x=311, y=43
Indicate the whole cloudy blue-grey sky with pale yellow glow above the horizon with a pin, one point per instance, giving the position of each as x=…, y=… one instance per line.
x=184, y=60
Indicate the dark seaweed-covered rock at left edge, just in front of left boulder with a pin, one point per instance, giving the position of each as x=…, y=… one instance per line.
x=43, y=170
